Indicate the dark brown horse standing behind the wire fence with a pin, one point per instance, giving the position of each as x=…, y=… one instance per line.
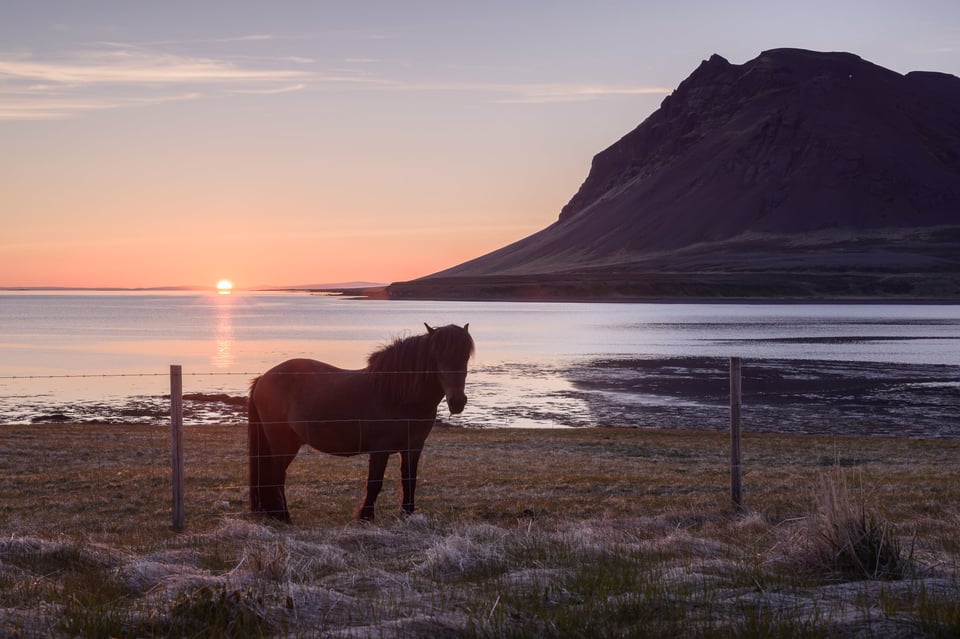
x=388, y=407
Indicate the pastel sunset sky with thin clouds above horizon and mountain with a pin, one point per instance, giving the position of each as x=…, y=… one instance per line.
x=282, y=143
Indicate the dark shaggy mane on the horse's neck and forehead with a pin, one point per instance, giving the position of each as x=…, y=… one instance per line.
x=404, y=365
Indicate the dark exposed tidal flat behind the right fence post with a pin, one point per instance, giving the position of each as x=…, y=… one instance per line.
x=788, y=396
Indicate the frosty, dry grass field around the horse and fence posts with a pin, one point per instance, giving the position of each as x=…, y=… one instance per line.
x=550, y=533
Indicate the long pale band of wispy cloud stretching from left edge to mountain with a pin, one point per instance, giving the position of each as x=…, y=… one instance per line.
x=117, y=76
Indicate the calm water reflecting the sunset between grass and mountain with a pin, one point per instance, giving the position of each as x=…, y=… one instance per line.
x=79, y=356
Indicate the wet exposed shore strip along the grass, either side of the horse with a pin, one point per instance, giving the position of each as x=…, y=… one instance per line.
x=688, y=393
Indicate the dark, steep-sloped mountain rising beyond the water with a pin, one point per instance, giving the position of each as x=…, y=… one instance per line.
x=796, y=174
